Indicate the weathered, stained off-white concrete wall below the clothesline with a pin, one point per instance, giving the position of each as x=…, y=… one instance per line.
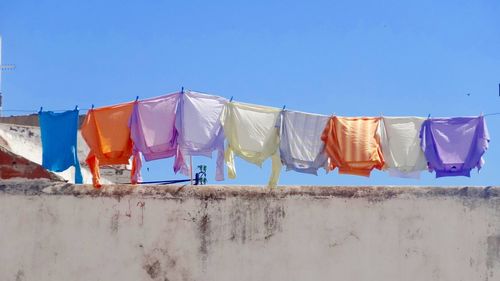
x=58, y=231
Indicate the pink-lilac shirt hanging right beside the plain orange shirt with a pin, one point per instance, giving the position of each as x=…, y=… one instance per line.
x=153, y=131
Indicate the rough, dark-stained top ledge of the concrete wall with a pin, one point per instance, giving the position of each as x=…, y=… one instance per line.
x=221, y=192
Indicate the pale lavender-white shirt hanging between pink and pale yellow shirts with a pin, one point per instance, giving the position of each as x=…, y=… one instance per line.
x=200, y=129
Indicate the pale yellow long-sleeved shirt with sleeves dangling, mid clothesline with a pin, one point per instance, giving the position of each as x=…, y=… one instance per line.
x=252, y=134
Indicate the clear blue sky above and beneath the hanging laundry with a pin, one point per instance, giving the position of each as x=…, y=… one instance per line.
x=348, y=57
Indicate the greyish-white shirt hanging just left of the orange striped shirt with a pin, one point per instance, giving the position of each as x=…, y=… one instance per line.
x=301, y=147
